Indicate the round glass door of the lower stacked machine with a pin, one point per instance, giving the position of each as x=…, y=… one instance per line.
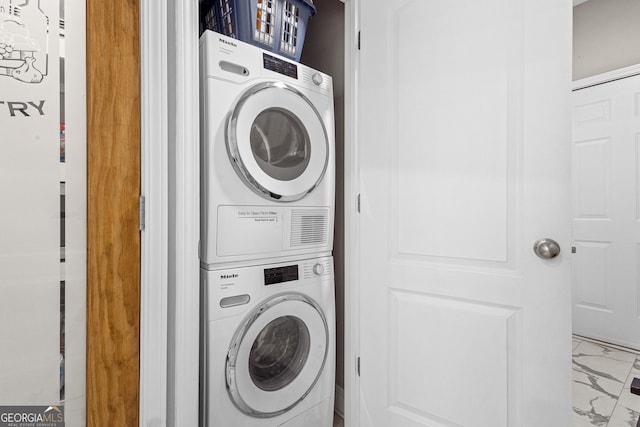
x=277, y=355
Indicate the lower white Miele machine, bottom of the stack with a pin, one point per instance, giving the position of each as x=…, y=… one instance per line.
x=268, y=357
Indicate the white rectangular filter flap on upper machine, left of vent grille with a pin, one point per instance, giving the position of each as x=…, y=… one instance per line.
x=246, y=230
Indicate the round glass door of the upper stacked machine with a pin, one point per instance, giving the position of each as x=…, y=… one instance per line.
x=277, y=141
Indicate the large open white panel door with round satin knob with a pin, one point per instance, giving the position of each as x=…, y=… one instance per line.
x=462, y=129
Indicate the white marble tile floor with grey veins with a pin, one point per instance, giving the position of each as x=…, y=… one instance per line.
x=602, y=378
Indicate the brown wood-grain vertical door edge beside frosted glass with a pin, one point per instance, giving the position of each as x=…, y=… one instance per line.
x=113, y=188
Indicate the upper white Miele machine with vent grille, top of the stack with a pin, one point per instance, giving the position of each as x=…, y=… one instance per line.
x=267, y=150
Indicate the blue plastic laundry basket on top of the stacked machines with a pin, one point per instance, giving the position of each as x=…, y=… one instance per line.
x=275, y=25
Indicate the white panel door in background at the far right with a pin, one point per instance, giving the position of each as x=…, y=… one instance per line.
x=606, y=211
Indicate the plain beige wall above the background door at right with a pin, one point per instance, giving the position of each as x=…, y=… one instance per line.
x=606, y=36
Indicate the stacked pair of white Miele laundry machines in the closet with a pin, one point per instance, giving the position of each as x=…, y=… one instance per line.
x=267, y=215
